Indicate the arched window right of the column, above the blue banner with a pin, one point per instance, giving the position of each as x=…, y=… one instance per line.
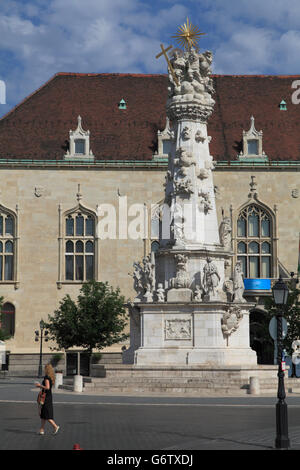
x=254, y=242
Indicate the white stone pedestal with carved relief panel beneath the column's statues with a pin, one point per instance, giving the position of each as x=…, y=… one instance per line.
x=190, y=333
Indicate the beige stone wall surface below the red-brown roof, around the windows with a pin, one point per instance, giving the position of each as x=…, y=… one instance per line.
x=38, y=294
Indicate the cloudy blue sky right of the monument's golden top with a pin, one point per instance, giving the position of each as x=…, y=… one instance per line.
x=257, y=37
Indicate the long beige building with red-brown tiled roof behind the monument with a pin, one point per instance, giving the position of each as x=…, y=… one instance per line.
x=84, y=146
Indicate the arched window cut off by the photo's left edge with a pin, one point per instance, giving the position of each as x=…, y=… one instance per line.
x=7, y=246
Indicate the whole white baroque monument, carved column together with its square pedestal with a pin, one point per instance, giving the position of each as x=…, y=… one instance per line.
x=185, y=318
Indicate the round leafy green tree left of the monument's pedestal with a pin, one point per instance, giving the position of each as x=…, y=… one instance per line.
x=96, y=320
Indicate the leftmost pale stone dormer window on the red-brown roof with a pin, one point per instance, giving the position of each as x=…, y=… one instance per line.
x=79, y=145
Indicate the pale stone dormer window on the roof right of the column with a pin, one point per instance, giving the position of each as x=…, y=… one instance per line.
x=252, y=145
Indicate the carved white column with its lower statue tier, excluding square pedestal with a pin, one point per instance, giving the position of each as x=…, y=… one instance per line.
x=189, y=222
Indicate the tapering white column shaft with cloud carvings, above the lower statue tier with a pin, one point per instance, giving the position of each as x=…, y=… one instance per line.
x=189, y=189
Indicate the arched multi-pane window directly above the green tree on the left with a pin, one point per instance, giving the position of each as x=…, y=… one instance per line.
x=79, y=243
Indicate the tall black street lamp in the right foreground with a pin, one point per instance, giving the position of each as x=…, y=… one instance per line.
x=280, y=296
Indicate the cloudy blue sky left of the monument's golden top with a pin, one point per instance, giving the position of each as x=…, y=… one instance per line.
x=43, y=38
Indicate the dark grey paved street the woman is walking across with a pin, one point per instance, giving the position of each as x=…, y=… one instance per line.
x=115, y=423
